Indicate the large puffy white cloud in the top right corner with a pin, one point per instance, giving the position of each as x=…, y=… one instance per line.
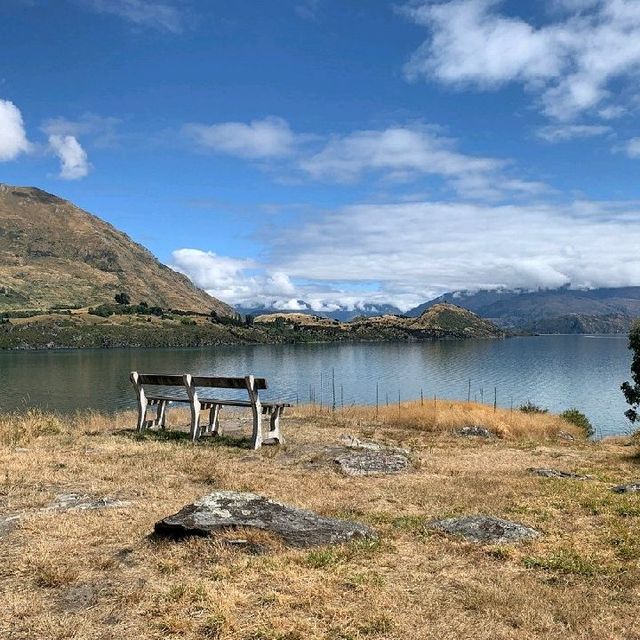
x=570, y=63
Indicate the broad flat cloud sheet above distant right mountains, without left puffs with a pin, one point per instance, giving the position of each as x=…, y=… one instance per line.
x=427, y=248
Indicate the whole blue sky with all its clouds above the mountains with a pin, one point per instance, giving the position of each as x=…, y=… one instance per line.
x=338, y=151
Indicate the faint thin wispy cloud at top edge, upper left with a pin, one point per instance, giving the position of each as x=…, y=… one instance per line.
x=153, y=14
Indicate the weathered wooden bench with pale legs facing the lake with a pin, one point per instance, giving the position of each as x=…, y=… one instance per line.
x=185, y=389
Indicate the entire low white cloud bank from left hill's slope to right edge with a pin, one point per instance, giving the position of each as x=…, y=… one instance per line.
x=406, y=253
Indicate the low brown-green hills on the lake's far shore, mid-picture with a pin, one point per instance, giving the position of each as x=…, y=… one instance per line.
x=442, y=321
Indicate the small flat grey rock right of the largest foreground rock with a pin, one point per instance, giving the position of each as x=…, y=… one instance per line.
x=485, y=529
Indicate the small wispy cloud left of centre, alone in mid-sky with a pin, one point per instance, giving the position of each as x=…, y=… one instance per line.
x=259, y=139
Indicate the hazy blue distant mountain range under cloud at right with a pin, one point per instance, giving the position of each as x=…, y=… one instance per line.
x=564, y=310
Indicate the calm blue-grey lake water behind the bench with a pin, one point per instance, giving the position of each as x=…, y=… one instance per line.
x=557, y=372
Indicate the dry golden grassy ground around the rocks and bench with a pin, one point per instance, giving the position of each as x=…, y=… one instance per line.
x=99, y=574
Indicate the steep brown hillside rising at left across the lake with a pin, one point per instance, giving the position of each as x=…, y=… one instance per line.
x=53, y=254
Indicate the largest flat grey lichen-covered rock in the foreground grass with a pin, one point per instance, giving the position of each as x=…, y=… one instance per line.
x=231, y=509
